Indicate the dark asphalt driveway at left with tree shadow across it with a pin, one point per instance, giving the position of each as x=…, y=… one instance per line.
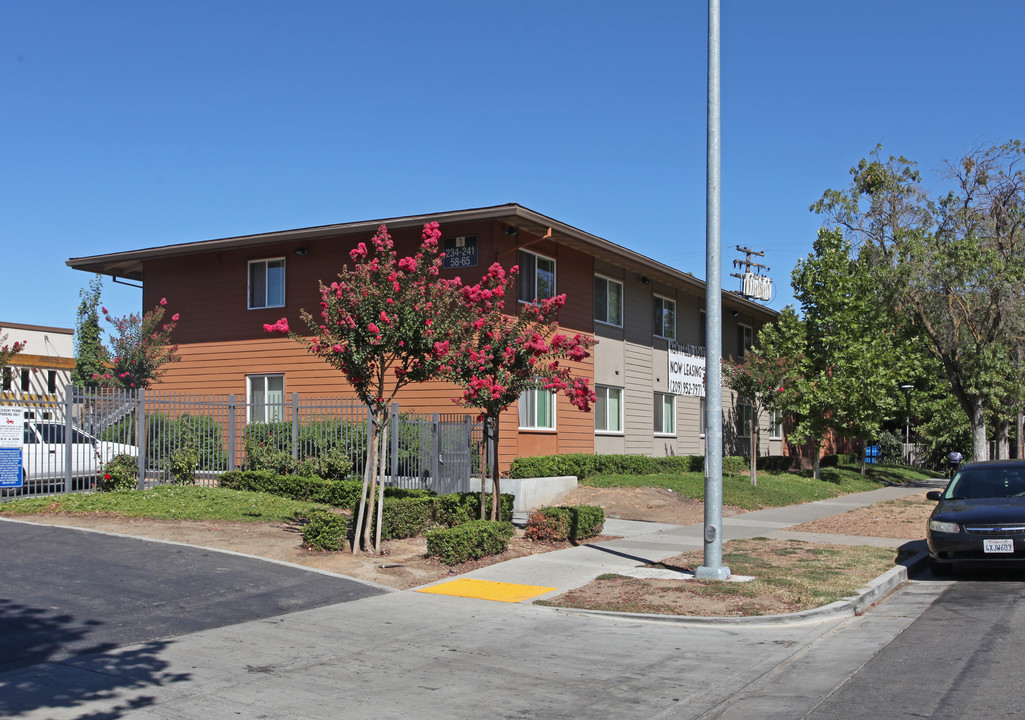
x=67, y=592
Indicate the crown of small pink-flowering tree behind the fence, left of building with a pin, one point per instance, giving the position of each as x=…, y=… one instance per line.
x=140, y=349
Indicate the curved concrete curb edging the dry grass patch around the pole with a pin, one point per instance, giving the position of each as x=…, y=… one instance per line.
x=848, y=608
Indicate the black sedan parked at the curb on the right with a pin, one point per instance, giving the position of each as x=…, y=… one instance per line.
x=980, y=517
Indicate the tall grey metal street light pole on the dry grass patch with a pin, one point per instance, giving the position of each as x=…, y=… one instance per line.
x=713, y=568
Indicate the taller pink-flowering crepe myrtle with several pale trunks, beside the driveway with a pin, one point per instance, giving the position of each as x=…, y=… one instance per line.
x=381, y=326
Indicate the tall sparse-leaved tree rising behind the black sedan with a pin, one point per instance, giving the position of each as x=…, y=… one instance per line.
x=951, y=268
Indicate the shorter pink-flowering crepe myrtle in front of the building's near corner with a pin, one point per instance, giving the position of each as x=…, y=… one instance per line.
x=502, y=355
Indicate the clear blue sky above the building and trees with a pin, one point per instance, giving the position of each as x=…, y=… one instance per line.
x=131, y=125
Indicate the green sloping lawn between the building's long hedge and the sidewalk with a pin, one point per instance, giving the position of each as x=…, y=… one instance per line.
x=774, y=490
